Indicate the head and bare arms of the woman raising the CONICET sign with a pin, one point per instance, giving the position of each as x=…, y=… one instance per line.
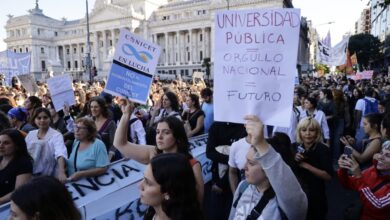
x=170, y=138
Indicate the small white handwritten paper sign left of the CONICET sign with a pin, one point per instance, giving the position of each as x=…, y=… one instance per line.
x=61, y=91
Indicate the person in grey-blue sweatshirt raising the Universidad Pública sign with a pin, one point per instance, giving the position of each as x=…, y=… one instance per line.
x=265, y=194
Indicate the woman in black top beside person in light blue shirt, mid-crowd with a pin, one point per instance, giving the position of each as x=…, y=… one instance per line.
x=193, y=117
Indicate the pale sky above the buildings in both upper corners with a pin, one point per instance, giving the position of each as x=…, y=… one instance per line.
x=344, y=13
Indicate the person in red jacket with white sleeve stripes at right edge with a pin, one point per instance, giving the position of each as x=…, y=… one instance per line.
x=373, y=183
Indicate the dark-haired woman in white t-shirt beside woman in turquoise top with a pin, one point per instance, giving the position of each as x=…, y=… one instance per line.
x=47, y=147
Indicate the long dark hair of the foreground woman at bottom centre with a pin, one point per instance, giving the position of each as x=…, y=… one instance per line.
x=167, y=169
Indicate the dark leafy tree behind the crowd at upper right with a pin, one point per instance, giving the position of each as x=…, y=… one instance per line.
x=367, y=49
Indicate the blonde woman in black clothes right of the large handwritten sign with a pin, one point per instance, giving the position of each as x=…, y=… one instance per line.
x=314, y=166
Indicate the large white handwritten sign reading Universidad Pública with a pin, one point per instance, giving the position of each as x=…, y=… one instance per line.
x=255, y=63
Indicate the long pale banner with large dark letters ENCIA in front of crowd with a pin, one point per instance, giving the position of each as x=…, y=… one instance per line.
x=115, y=194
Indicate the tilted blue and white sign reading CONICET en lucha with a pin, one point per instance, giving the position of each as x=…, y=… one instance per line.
x=133, y=67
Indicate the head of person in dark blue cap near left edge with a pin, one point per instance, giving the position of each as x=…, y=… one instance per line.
x=18, y=117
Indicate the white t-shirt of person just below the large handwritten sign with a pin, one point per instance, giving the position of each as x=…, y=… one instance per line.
x=237, y=155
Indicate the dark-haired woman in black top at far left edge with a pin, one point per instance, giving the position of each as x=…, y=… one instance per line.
x=15, y=163
